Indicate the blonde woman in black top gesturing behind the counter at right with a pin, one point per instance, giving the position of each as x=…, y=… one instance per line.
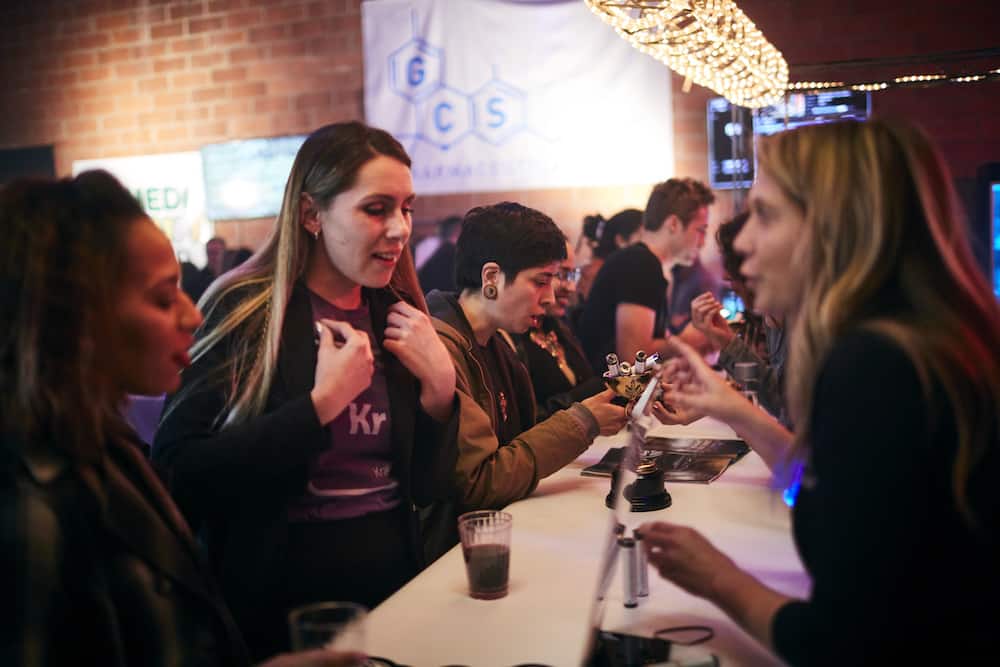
x=893, y=385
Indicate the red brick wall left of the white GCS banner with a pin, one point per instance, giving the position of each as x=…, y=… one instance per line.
x=100, y=78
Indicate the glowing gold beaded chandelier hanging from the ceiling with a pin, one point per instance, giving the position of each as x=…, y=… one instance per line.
x=709, y=42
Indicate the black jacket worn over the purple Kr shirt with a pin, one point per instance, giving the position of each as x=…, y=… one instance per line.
x=234, y=484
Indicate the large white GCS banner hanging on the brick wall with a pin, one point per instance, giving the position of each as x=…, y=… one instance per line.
x=500, y=95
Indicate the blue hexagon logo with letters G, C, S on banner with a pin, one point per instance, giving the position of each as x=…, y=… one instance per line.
x=445, y=115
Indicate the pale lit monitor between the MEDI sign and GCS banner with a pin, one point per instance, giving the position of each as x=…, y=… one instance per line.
x=246, y=179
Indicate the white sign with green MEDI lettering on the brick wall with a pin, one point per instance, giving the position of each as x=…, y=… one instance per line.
x=171, y=189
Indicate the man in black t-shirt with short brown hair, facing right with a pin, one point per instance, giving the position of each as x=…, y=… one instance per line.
x=627, y=307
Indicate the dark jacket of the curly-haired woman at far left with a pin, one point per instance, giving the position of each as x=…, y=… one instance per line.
x=101, y=568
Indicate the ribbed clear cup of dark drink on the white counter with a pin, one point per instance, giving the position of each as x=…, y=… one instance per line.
x=486, y=547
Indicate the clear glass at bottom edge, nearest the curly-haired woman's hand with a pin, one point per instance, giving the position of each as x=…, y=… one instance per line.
x=338, y=626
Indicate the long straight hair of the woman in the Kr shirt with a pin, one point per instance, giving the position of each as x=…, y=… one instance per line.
x=326, y=165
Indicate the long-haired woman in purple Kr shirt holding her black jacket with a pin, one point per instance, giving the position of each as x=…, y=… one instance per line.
x=318, y=416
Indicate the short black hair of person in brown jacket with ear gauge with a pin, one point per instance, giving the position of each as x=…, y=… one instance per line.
x=514, y=236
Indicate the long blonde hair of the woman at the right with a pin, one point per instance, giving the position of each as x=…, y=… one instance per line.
x=884, y=226
